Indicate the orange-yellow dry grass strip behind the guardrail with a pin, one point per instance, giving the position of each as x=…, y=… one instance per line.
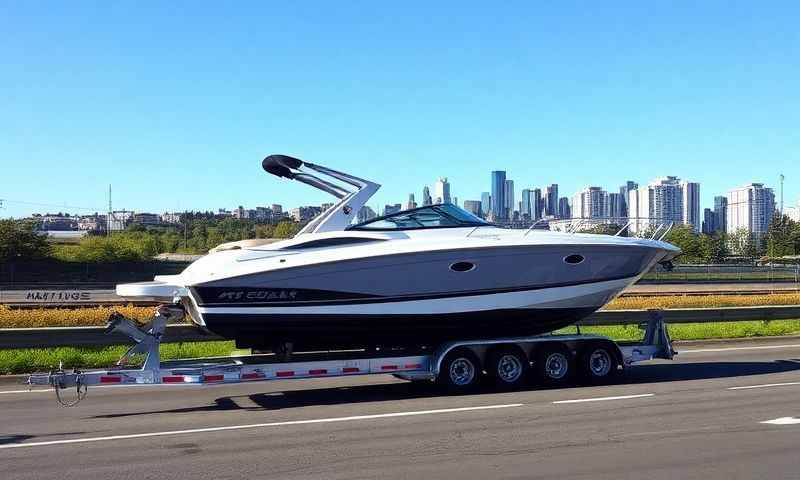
x=67, y=317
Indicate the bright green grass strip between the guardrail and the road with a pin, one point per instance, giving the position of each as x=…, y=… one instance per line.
x=26, y=360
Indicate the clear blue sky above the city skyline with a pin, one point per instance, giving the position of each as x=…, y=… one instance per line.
x=176, y=103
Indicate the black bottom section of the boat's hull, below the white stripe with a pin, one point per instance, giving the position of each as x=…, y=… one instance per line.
x=265, y=332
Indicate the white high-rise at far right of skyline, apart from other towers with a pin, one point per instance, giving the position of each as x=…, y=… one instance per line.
x=751, y=208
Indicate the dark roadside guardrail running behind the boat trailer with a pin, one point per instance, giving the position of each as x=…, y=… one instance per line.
x=95, y=336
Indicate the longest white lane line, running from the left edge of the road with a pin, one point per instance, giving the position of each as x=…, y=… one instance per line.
x=260, y=425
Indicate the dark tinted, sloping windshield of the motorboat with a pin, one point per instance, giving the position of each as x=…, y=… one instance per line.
x=434, y=216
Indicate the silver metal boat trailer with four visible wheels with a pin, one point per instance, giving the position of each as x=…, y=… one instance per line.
x=458, y=366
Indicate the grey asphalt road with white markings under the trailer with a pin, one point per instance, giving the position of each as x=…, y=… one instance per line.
x=690, y=418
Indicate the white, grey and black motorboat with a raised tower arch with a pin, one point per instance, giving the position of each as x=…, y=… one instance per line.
x=417, y=277
